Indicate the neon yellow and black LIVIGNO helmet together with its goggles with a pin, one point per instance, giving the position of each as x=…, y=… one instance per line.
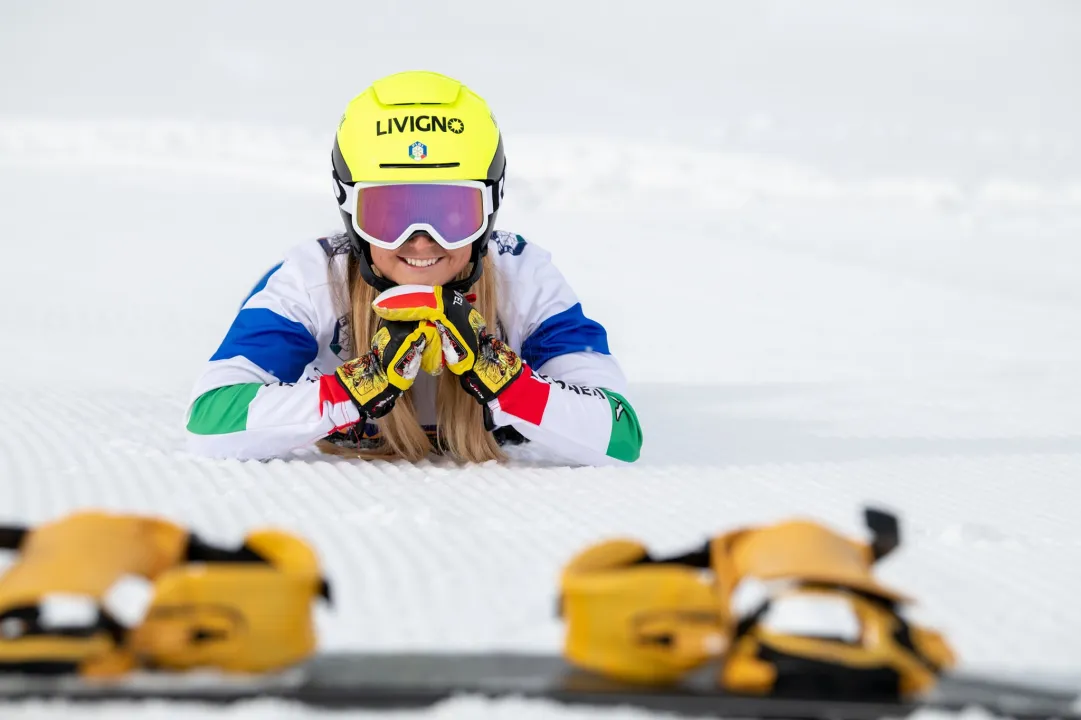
x=409, y=129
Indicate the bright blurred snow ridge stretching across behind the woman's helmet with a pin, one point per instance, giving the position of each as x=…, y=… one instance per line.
x=569, y=172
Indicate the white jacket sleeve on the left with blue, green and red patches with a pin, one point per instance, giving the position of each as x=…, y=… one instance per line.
x=255, y=398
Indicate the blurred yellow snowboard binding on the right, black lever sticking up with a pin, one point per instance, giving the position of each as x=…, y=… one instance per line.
x=786, y=610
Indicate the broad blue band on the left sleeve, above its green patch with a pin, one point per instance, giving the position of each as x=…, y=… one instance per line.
x=278, y=345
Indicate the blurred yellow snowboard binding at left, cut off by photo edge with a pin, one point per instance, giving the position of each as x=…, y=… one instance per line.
x=246, y=610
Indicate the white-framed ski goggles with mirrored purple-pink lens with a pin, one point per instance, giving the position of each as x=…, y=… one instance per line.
x=388, y=215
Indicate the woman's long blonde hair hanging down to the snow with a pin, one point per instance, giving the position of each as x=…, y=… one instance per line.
x=460, y=418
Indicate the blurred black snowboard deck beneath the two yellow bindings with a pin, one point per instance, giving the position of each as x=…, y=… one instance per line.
x=420, y=681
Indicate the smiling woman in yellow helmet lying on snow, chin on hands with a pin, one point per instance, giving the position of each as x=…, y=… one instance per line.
x=422, y=327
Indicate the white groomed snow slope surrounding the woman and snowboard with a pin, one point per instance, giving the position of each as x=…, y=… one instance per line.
x=864, y=217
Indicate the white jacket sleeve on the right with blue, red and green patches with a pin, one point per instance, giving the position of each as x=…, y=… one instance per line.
x=575, y=402
